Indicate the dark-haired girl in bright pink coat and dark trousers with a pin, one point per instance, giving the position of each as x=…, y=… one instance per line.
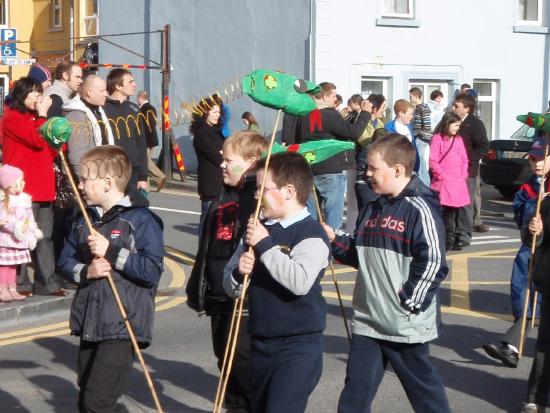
x=449, y=169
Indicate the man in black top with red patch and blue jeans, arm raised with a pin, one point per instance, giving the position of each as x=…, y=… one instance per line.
x=329, y=176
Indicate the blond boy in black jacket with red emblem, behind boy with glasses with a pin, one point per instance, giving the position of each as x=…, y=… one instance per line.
x=224, y=225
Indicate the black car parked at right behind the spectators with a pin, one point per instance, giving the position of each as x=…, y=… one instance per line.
x=506, y=166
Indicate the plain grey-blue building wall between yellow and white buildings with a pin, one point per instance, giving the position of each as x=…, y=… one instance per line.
x=214, y=43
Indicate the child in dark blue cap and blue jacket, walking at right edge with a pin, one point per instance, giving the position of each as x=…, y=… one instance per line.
x=525, y=204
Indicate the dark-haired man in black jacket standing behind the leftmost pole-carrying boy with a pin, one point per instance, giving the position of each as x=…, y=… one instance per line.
x=129, y=130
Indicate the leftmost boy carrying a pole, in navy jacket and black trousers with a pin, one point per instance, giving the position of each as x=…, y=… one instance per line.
x=127, y=242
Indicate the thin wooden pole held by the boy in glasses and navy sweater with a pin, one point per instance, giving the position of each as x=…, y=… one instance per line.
x=238, y=305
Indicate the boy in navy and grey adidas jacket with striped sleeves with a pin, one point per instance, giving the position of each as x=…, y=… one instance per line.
x=399, y=250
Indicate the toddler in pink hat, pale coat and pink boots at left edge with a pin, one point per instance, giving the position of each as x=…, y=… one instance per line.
x=18, y=230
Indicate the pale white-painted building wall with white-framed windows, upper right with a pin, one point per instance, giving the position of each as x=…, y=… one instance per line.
x=455, y=41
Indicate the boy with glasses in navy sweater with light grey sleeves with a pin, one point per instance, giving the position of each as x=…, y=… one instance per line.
x=286, y=306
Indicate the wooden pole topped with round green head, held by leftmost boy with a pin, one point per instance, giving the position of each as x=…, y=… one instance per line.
x=56, y=132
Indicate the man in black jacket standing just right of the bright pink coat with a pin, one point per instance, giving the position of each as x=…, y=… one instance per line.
x=475, y=139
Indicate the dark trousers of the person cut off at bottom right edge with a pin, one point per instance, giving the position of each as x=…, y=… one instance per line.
x=538, y=386
